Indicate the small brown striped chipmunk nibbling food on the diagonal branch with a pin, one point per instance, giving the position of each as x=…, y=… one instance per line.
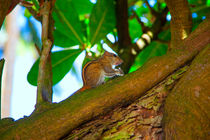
x=94, y=72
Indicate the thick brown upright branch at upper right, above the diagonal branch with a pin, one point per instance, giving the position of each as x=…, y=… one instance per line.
x=181, y=21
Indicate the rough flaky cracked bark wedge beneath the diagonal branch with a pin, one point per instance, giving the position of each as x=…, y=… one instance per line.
x=140, y=120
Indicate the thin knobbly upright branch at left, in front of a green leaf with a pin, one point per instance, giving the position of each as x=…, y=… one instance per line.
x=44, y=85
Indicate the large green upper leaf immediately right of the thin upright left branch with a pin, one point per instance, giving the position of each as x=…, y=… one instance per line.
x=68, y=31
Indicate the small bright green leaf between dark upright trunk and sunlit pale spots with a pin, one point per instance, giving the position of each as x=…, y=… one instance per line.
x=135, y=30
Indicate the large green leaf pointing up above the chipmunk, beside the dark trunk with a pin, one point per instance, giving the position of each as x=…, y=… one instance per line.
x=102, y=20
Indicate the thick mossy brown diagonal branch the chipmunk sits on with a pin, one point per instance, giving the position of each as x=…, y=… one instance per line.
x=69, y=114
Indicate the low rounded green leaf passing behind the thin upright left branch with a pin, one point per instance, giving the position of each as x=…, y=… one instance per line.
x=62, y=62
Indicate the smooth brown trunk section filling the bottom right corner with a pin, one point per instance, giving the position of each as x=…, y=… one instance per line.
x=187, y=107
